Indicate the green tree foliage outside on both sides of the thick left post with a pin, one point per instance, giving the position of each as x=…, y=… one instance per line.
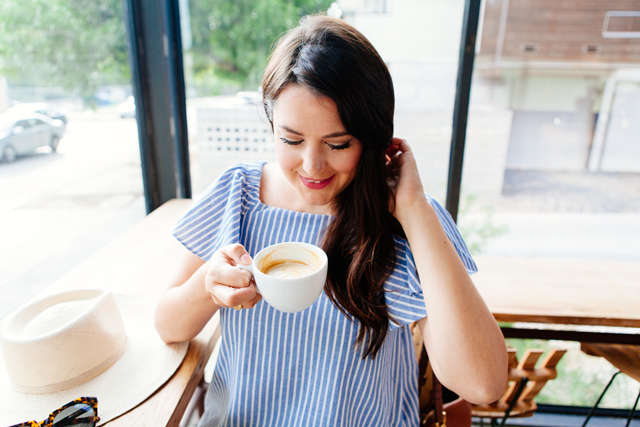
x=81, y=44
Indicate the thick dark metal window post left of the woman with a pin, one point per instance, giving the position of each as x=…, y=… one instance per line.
x=153, y=33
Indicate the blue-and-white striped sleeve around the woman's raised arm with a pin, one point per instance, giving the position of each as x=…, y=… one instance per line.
x=405, y=300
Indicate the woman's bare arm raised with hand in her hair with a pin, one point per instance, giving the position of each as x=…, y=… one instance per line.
x=465, y=345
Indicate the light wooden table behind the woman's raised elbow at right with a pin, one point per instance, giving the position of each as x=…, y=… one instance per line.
x=565, y=292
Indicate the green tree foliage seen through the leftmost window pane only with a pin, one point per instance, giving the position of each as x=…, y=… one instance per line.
x=75, y=44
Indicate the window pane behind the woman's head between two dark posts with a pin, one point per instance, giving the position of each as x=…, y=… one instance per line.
x=226, y=48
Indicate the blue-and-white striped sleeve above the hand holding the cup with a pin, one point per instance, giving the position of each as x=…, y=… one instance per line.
x=213, y=220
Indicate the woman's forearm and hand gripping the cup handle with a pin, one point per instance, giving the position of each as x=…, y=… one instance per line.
x=199, y=288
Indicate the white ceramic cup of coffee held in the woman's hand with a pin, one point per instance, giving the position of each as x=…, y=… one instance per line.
x=300, y=271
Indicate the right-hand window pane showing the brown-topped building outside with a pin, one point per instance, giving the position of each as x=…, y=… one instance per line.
x=552, y=164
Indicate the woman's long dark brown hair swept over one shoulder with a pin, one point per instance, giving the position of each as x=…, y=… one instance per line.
x=334, y=60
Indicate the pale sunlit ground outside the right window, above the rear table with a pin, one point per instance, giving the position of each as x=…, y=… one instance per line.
x=560, y=215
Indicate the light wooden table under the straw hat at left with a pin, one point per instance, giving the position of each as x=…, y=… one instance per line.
x=139, y=262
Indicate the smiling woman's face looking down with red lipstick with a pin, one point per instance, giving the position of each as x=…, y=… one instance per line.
x=316, y=154
